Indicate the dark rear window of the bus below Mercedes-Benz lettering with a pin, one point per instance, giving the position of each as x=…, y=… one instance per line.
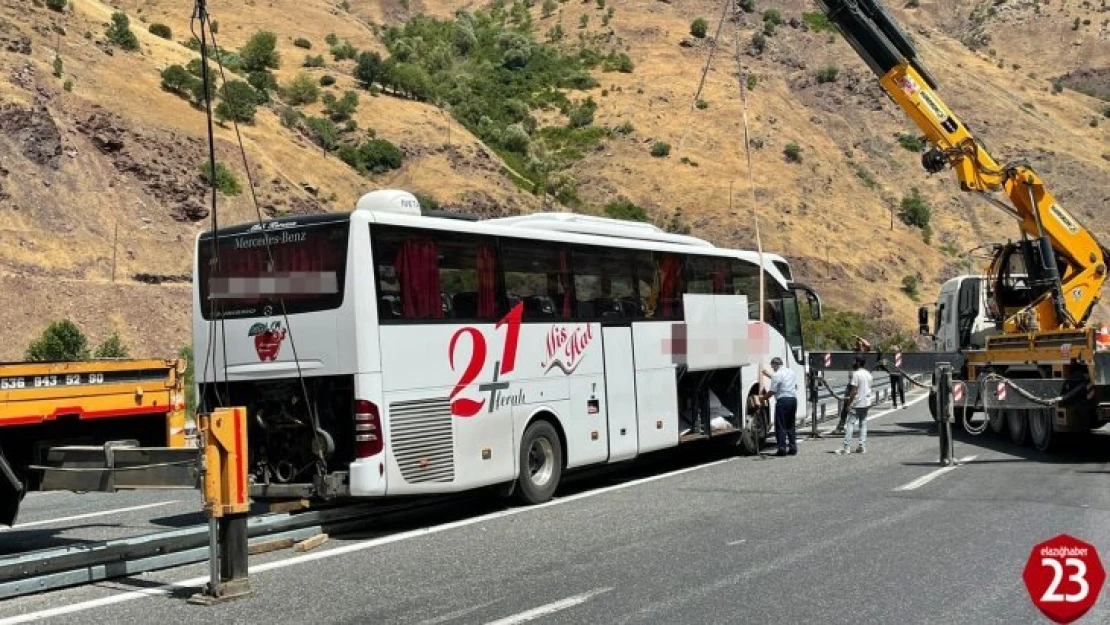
x=301, y=266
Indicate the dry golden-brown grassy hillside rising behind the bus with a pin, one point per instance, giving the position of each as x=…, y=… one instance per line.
x=116, y=157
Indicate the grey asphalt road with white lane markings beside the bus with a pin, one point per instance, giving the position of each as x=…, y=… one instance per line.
x=695, y=538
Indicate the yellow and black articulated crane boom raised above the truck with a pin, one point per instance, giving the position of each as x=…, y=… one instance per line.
x=1065, y=264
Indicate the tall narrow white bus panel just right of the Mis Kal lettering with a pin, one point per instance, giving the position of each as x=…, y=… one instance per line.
x=621, y=392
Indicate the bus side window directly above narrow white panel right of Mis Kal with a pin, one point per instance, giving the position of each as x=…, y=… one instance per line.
x=604, y=284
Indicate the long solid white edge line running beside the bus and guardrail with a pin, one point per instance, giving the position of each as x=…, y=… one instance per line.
x=352, y=548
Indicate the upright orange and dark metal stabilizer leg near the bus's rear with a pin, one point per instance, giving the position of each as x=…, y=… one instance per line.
x=227, y=503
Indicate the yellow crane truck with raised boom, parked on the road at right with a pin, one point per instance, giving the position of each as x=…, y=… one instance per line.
x=1038, y=368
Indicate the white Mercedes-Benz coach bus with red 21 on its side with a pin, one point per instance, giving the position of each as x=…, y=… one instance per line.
x=385, y=352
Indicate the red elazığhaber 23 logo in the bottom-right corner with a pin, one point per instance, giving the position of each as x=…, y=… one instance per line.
x=1064, y=577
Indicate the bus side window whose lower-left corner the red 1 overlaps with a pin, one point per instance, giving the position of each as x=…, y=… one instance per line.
x=540, y=277
